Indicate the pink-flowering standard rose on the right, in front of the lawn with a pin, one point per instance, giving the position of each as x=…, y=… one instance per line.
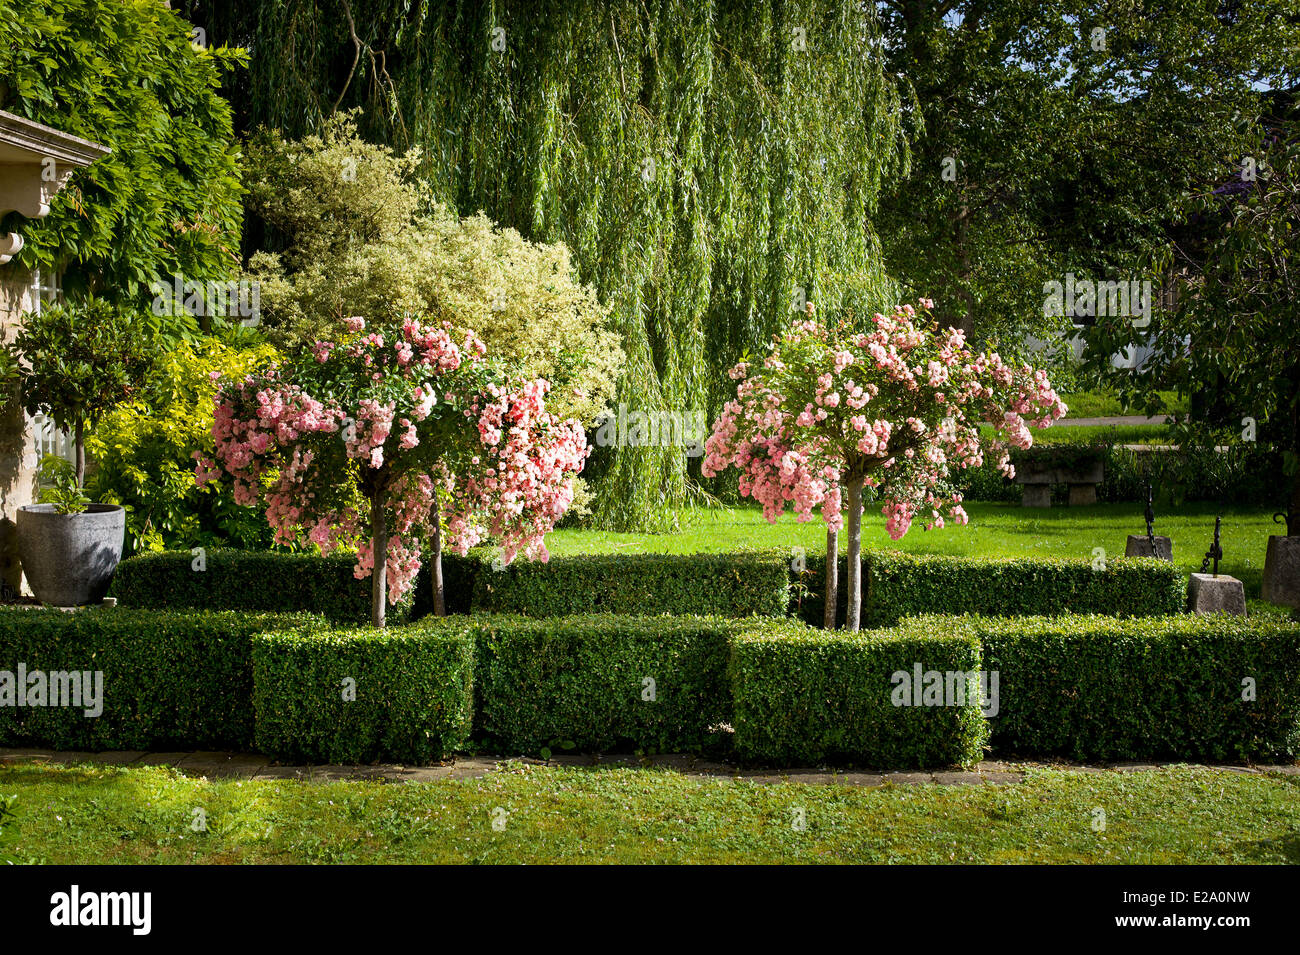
x=835, y=410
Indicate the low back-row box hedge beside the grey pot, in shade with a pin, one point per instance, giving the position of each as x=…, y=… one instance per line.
x=263, y=581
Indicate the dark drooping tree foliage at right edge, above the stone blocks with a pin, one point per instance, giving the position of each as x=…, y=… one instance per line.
x=1230, y=340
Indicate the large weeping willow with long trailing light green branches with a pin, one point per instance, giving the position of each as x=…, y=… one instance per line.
x=712, y=166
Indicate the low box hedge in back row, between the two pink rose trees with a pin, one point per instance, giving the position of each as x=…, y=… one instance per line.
x=729, y=585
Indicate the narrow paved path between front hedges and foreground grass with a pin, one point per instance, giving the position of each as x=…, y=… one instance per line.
x=253, y=767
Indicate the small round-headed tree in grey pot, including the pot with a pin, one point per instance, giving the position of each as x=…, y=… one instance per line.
x=73, y=364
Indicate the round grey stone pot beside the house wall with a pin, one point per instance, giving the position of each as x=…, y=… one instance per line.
x=70, y=559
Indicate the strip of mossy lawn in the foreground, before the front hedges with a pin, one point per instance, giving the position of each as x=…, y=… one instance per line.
x=629, y=815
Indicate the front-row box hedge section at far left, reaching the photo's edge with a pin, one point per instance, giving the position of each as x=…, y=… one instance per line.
x=180, y=680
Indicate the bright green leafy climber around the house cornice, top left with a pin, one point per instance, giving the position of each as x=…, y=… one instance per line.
x=127, y=75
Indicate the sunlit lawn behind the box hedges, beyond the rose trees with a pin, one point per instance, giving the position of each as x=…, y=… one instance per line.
x=1002, y=531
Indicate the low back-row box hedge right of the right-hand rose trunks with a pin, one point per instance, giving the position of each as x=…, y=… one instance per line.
x=903, y=585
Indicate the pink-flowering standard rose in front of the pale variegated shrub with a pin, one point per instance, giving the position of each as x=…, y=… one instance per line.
x=359, y=441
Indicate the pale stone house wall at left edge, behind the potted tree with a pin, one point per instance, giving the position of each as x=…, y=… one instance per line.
x=18, y=459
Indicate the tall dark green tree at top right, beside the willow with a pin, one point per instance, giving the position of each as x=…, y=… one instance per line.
x=1071, y=133
